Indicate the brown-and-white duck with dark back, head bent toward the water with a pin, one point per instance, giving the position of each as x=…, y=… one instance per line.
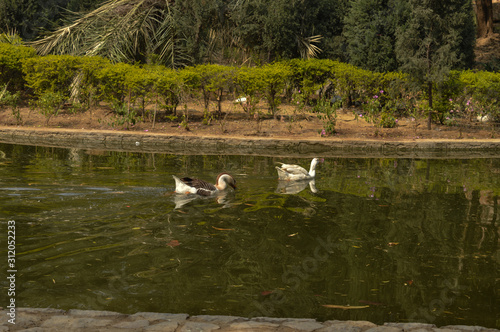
x=188, y=185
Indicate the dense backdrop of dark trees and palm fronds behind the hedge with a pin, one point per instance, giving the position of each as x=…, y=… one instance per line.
x=364, y=33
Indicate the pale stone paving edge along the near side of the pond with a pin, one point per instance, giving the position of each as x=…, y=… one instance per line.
x=45, y=320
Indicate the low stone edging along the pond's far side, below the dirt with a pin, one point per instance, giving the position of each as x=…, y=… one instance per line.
x=251, y=145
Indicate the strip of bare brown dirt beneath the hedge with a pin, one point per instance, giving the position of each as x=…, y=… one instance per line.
x=235, y=122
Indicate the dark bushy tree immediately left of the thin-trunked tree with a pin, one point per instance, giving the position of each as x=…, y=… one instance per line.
x=370, y=33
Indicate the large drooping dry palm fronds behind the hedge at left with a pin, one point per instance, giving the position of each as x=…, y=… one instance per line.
x=121, y=30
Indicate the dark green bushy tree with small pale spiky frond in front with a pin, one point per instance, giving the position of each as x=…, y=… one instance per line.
x=285, y=29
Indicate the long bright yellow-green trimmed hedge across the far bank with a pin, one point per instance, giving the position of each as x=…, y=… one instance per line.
x=97, y=79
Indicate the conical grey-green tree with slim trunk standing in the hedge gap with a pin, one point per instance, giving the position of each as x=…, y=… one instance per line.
x=434, y=41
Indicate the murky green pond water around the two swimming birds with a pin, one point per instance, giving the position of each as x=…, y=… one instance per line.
x=383, y=240
